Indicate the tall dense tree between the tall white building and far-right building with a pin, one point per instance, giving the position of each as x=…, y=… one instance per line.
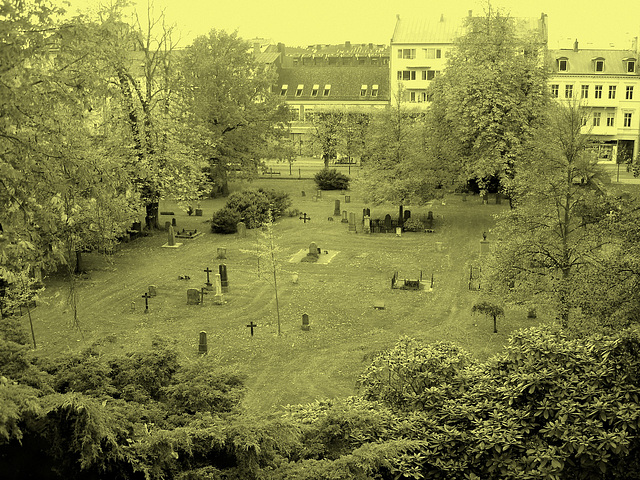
x=490, y=94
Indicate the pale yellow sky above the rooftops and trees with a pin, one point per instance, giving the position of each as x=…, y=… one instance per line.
x=595, y=23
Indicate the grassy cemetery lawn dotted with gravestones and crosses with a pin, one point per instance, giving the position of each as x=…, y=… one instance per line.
x=346, y=331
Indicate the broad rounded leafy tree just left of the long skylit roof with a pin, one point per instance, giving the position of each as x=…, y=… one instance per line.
x=228, y=103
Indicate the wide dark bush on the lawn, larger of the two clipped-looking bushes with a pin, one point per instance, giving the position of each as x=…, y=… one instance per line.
x=251, y=207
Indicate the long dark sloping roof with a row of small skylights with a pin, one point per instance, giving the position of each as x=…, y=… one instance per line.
x=346, y=82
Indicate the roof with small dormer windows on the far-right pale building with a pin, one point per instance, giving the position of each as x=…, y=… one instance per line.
x=582, y=61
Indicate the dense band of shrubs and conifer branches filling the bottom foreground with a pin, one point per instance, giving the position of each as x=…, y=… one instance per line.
x=551, y=406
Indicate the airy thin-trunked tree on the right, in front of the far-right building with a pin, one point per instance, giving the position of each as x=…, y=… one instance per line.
x=554, y=237
